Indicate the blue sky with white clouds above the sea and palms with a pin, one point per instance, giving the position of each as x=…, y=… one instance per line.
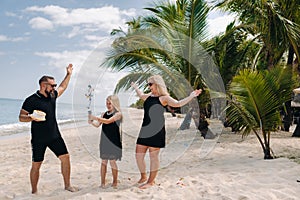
x=40, y=37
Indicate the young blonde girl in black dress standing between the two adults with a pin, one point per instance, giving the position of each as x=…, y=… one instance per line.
x=110, y=139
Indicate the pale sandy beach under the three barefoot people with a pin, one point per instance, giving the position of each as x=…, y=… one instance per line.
x=227, y=167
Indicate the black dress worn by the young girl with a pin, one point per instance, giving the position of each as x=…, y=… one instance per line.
x=110, y=140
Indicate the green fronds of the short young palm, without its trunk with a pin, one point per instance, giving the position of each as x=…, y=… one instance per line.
x=258, y=95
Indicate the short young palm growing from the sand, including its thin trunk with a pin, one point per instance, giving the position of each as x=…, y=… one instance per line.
x=255, y=101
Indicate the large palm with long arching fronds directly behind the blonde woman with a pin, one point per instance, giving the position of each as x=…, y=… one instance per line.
x=168, y=42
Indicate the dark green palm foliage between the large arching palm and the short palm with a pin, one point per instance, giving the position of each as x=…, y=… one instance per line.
x=232, y=51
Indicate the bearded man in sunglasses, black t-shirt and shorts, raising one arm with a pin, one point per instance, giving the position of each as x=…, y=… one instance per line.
x=45, y=133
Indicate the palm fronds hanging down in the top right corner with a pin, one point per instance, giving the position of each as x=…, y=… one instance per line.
x=271, y=22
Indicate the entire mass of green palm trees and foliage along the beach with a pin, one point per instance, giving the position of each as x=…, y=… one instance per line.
x=257, y=53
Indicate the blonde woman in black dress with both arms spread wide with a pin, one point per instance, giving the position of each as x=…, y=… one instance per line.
x=152, y=134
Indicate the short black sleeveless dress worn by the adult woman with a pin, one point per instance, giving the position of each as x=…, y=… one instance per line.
x=153, y=131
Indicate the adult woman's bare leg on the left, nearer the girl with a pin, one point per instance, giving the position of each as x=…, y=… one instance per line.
x=140, y=152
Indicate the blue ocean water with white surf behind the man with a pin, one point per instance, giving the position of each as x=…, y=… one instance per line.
x=67, y=115
